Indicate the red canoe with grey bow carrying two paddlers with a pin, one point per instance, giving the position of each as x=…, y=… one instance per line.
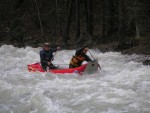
x=90, y=67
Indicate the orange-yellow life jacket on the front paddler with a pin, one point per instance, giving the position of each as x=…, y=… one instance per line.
x=77, y=60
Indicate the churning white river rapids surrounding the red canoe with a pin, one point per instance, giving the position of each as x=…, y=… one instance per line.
x=122, y=86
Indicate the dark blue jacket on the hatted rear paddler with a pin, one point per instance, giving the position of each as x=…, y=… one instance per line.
x=46, y=56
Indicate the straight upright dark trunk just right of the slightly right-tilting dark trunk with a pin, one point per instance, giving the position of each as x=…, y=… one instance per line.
x=77, y=19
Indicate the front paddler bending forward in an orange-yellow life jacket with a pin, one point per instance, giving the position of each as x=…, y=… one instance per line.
x=79, y=57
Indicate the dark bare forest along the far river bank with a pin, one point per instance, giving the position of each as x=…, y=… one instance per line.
x=105, y=24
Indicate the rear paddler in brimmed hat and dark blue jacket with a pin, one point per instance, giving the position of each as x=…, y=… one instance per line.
x=46, y=56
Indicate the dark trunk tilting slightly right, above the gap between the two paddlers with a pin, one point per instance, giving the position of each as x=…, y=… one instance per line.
x=67, y=26
